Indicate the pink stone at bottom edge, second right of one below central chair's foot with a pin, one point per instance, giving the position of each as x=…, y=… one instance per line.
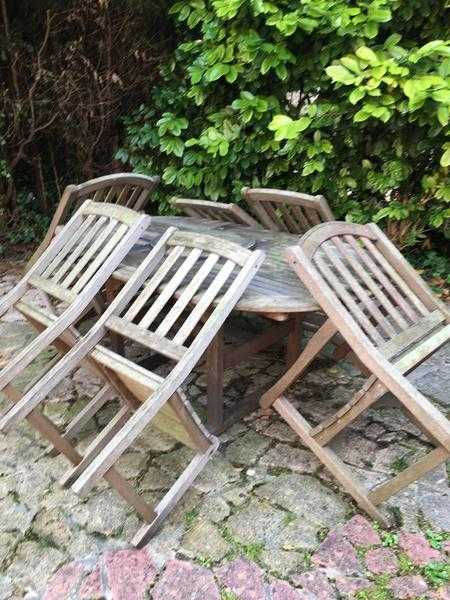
x=244, y=578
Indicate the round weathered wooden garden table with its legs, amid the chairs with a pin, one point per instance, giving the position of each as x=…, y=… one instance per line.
x=275, y=293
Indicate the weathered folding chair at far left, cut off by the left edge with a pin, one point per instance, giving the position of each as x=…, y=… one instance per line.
x=124, y=227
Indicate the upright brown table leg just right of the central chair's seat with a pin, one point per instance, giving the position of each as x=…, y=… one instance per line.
x=214, y=388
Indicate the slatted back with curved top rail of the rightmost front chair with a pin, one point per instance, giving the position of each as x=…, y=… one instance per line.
x=365, y=277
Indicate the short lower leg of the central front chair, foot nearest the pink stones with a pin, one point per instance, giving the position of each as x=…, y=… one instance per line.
x=179, y=488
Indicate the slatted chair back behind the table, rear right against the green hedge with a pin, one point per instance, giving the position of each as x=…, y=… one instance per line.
x=290, y=212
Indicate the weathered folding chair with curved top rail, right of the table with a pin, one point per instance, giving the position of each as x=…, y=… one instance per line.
x=391, y=321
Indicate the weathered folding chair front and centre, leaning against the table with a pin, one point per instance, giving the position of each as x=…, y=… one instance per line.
x=174, y=305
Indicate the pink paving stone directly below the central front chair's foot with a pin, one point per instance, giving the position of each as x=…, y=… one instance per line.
x=129, y=573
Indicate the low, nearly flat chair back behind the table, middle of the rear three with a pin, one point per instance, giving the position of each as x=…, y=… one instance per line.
x=219, y=211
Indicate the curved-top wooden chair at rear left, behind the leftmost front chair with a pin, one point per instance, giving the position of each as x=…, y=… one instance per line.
x=124, y=189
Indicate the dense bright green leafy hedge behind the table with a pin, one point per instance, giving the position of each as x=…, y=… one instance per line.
x=347, y=99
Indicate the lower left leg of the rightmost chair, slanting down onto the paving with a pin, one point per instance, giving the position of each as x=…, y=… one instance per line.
x=333, y=463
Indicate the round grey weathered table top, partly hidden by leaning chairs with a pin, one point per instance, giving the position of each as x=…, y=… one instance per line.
x=275, y=290
